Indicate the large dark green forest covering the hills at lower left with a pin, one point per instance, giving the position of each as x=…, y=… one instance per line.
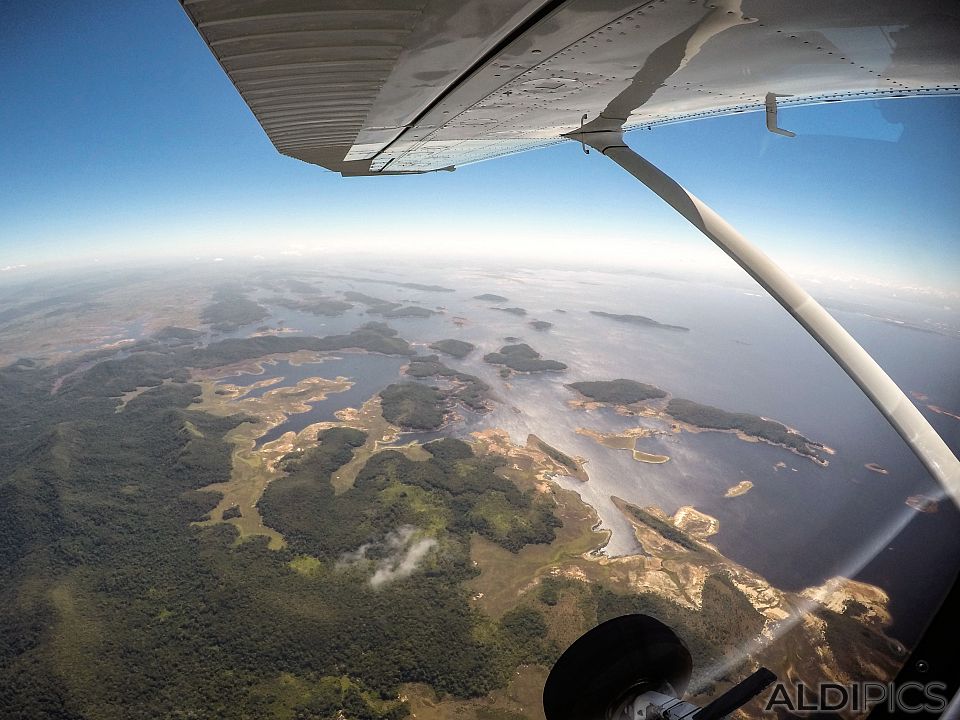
x=113, y=605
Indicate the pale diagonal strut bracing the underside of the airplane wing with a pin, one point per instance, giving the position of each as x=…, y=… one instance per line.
x=896, y=407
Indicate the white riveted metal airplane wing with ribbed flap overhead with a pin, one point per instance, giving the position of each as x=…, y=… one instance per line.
x=367, y=87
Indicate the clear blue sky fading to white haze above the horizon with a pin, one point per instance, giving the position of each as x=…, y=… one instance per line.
x=120, y=135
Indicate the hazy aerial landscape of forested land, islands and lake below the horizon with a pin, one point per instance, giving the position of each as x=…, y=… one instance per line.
x=248, y=491
